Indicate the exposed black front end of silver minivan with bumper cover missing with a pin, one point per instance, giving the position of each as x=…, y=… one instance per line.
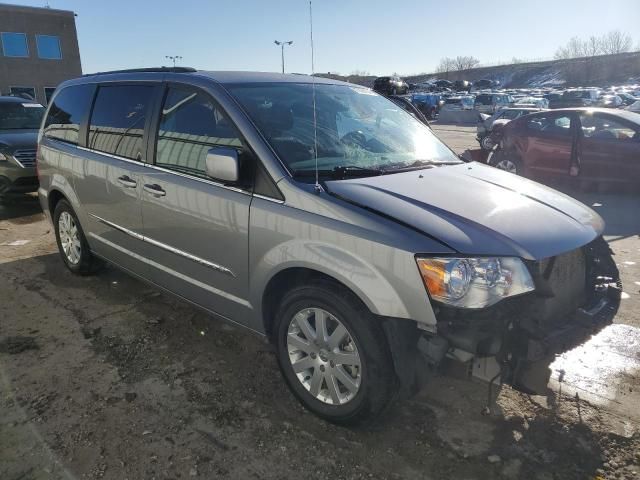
x=576, y=295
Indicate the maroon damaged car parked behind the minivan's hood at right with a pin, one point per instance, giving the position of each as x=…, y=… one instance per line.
x=579, y=146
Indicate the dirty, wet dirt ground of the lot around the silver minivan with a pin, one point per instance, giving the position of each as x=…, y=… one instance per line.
x=108, y=378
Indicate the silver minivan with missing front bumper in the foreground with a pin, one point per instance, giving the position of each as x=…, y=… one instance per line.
x=324, y=217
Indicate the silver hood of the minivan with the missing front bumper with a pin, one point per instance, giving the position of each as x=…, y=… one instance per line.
x=477, y=210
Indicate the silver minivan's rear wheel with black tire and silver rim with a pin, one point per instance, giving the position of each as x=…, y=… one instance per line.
x=78, y=257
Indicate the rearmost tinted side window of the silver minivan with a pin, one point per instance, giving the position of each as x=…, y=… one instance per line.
x=66, y=113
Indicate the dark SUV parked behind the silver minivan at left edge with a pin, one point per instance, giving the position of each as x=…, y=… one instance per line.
x=19, y=123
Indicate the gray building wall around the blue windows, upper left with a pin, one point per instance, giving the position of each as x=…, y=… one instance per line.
x=33, y=71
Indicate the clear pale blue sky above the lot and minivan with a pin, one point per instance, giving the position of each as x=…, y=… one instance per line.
x=377, y=36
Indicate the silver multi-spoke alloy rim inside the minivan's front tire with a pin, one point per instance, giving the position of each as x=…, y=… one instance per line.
x=324, y=356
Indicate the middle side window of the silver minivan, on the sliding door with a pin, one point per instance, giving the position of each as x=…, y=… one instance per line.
x=118, y=118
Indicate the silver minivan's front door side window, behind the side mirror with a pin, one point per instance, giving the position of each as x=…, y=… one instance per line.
x=190, y=124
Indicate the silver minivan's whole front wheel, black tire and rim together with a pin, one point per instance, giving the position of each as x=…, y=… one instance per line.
x=373, y=382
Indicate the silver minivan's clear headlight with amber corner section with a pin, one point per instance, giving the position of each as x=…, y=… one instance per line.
x=474, y=282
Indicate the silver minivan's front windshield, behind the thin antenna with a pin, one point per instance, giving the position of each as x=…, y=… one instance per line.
x=356, y=128
